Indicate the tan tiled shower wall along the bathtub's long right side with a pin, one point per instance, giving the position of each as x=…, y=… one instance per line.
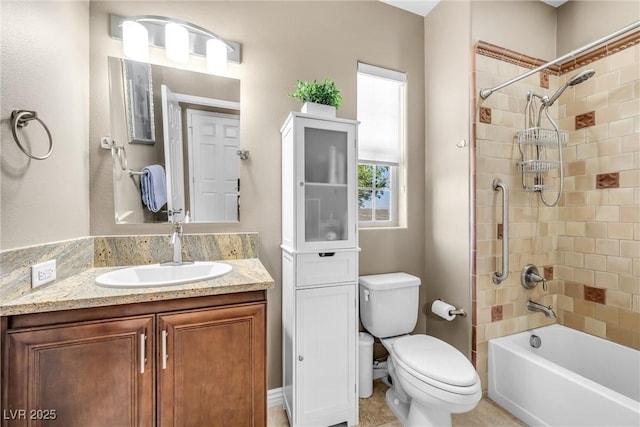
x=598, y=264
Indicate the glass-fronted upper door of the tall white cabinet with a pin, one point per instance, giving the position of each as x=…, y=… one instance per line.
x=326, y=199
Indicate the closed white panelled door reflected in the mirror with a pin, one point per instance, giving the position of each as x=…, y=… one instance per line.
x=213, y=140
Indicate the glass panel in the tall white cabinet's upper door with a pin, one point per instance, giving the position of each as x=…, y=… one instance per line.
x=326, y=196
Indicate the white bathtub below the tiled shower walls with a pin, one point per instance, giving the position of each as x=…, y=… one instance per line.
x=571, y=379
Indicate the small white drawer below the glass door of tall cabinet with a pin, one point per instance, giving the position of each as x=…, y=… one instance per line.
x=326, y=267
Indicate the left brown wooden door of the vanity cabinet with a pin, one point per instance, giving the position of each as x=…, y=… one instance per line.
x=86, y=374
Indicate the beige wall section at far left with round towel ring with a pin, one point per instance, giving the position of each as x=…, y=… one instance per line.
x=45, y=66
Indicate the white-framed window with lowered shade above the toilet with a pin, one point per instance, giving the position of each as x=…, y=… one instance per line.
x=381, y=140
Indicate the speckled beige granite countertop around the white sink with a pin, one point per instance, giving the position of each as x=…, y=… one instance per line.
x=80, y=290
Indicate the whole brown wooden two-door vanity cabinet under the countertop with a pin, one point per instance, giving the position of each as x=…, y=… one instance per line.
x=190, y=362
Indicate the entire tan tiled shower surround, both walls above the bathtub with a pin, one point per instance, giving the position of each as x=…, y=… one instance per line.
x=589, y=245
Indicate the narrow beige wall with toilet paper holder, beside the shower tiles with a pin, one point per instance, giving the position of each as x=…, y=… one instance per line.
x=447, y=213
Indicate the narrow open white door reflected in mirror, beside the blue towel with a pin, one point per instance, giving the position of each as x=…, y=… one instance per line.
x=172, y=129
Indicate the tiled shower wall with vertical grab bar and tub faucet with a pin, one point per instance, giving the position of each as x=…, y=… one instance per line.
x=500, y=309
